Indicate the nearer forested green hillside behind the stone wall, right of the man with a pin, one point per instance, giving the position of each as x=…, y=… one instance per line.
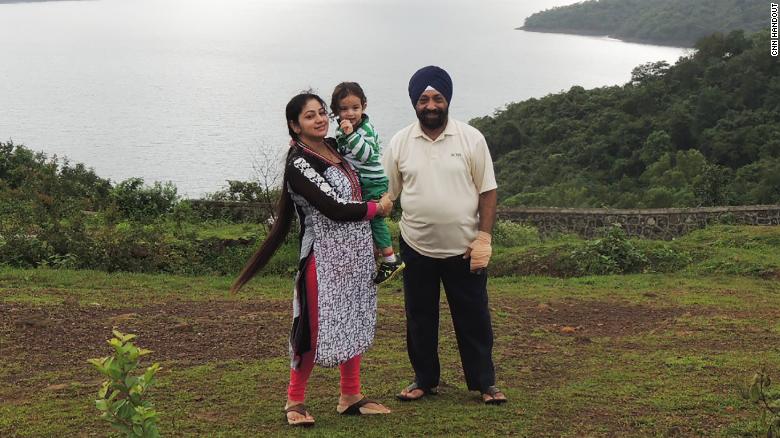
x=704, y=131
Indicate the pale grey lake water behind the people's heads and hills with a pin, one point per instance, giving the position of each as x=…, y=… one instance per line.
x=193, y=91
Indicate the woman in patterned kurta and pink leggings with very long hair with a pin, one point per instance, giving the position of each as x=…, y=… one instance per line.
x=334, y=310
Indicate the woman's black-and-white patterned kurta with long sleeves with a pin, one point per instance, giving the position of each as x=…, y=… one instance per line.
x=345, y=264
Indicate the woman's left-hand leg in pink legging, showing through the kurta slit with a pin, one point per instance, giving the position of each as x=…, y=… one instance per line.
x=296, y=391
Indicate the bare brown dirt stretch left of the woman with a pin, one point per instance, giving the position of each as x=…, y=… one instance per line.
x=197, y=332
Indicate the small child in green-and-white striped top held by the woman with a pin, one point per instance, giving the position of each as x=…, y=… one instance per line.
x=358, y=142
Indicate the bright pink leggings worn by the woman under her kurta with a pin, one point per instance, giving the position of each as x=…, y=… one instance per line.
x=350, y=370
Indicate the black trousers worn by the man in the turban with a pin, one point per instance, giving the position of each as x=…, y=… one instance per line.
x=467, y=298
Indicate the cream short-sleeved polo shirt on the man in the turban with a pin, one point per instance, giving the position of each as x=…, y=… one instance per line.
x=439, y=182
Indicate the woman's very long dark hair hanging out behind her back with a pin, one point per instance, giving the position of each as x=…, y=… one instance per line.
x=284, y=208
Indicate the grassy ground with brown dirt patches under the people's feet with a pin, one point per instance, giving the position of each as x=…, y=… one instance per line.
x=631, y=355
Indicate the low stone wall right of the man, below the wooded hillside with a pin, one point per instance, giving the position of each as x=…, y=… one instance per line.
x=662, y=223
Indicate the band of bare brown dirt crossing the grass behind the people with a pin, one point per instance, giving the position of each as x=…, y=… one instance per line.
x=65, y=336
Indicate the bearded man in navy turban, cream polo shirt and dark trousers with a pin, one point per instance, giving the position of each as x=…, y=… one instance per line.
x=443, y=172
